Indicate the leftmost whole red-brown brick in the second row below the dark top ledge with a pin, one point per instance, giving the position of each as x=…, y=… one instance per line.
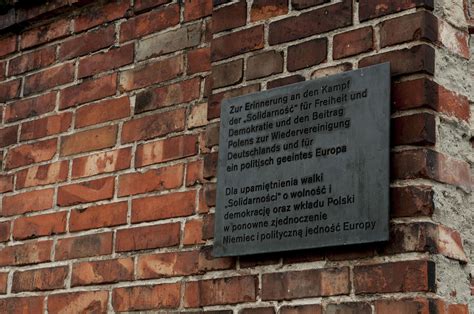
x=32, y=61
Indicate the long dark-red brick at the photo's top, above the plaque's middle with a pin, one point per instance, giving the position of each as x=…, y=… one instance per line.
x=311, y=23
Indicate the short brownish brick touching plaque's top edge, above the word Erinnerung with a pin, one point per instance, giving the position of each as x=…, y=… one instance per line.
x=264, y=64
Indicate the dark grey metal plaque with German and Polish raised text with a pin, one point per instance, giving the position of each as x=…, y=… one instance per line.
x=305, y=165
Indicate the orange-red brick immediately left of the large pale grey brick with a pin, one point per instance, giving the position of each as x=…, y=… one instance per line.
x=104, y=61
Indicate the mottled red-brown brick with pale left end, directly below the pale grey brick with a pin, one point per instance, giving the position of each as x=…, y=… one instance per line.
x=152, y=73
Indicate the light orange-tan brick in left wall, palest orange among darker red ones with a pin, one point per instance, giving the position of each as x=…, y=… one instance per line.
x=89, y=140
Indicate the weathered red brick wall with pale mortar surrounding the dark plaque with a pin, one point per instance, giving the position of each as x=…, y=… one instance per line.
x=109, y=140
